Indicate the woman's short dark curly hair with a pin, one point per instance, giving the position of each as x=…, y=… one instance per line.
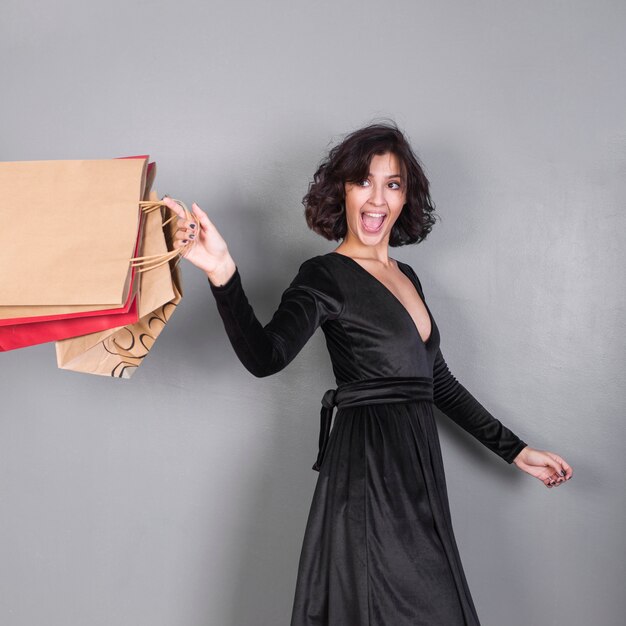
x=348, y=162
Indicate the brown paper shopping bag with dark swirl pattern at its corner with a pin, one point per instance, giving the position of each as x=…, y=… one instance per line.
x=119, y=352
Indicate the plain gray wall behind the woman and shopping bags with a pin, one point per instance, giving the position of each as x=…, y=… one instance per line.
x=180, y=497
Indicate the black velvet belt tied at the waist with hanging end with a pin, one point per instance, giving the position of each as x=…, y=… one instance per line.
x=382, y=390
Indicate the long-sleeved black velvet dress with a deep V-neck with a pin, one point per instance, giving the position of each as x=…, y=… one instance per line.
x=379, y=548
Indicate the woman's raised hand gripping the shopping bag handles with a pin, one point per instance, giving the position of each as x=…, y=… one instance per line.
x=209, y=251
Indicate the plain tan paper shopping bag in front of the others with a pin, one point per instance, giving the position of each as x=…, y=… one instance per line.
x=78, y=225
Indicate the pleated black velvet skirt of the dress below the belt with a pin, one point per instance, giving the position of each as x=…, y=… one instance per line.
x=379, y=549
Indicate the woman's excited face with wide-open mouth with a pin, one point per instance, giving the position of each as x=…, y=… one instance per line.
x=373, y=205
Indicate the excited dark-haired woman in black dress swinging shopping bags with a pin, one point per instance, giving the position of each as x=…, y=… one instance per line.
x=379, y=547
